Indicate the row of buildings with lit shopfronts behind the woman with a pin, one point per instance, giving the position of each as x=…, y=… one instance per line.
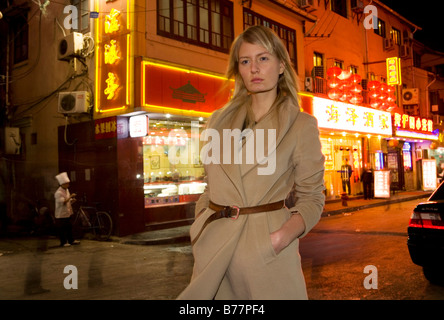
x=116, y=94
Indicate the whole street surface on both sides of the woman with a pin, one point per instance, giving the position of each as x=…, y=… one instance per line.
x=335, y=255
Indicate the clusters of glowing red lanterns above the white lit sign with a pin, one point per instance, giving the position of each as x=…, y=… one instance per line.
x=346, y=87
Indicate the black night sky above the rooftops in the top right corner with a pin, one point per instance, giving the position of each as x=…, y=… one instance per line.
x=425, y=14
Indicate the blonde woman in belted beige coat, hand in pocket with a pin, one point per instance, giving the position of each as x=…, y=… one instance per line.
x=245, y=241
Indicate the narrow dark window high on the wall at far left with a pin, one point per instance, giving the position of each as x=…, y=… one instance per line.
x=20, y=35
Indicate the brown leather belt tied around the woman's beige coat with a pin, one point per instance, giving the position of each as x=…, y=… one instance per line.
x=233, y=212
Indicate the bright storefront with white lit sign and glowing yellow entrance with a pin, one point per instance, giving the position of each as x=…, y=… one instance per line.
x=350, y=134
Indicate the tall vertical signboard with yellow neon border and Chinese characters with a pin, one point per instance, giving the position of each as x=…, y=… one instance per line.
x=113, y=79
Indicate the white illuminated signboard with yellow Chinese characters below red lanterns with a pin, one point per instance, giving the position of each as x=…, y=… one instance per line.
x=347, y=117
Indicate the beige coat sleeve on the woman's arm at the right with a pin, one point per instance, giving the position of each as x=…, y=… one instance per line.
x=309, y=174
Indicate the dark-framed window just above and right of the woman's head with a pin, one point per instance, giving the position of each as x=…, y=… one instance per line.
x=287, y=35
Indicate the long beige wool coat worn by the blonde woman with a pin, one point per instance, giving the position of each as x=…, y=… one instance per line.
x=234, y=259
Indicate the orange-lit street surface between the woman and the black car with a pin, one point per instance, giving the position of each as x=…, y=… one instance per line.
x=339, y=249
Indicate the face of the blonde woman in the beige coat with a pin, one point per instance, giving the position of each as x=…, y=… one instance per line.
x=258, y=68
